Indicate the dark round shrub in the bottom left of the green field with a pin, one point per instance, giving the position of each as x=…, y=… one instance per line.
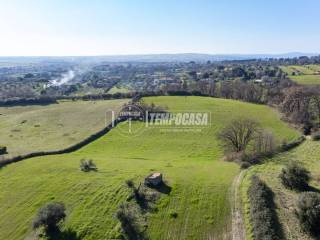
x=50, y=216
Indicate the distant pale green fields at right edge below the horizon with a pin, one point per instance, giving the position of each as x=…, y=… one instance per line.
x=304, y=75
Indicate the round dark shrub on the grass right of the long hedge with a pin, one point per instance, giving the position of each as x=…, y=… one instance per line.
x=295, y=177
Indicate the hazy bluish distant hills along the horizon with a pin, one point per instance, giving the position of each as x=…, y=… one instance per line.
x=179, y=57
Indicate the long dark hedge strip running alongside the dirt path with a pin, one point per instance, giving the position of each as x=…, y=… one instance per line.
x=262, y=211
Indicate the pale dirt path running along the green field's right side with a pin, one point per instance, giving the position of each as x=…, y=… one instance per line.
x=238, y=229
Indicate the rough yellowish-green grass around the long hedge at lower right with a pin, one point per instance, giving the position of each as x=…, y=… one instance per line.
x=307, y=154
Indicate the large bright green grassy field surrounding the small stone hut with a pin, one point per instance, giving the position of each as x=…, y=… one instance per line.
x=190, y=161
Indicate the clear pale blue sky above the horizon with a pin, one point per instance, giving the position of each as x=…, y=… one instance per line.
x=108, y=27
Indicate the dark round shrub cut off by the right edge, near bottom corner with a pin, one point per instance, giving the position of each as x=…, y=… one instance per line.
x=308, y=212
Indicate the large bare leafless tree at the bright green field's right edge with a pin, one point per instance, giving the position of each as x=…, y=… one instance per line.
x=237, y=135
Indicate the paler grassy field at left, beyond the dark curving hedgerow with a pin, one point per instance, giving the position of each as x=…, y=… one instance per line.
x=60, y=125
